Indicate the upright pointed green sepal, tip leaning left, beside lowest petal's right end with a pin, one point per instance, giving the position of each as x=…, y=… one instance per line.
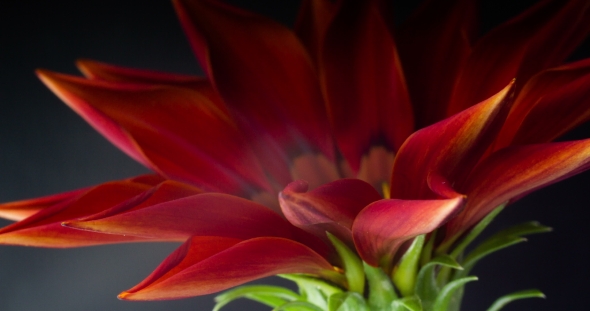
x=353, y=266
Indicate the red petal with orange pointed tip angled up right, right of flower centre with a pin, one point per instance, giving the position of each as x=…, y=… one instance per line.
x=449, y=148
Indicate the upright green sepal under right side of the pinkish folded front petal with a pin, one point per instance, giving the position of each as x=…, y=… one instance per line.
x=404, y=275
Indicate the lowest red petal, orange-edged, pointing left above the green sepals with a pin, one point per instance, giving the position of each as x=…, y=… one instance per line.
x=207, y=265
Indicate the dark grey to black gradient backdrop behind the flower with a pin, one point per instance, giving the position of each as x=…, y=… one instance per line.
x=45, y=148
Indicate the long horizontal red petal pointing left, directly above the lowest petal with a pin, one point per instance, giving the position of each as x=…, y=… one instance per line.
x=206, y=214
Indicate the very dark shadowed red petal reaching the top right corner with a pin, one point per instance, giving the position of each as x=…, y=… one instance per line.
x=539, y=38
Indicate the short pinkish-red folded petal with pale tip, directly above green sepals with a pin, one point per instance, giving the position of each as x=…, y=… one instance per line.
x=383, y=226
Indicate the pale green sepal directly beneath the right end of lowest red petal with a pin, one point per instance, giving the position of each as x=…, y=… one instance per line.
x=314, y=290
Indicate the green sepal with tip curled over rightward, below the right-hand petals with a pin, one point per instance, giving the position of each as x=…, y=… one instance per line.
x=426, y=286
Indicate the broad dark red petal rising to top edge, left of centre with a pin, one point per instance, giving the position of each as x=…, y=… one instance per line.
x=265, y=76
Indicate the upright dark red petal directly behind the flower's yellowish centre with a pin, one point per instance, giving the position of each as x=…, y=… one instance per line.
x=364, y=83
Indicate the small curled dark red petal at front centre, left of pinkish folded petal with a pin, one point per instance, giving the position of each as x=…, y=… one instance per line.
x=332, y=205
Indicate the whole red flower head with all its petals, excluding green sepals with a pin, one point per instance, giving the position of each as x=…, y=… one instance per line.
x=437, y=126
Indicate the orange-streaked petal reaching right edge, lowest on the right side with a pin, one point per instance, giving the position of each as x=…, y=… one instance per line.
x=516, y=171
